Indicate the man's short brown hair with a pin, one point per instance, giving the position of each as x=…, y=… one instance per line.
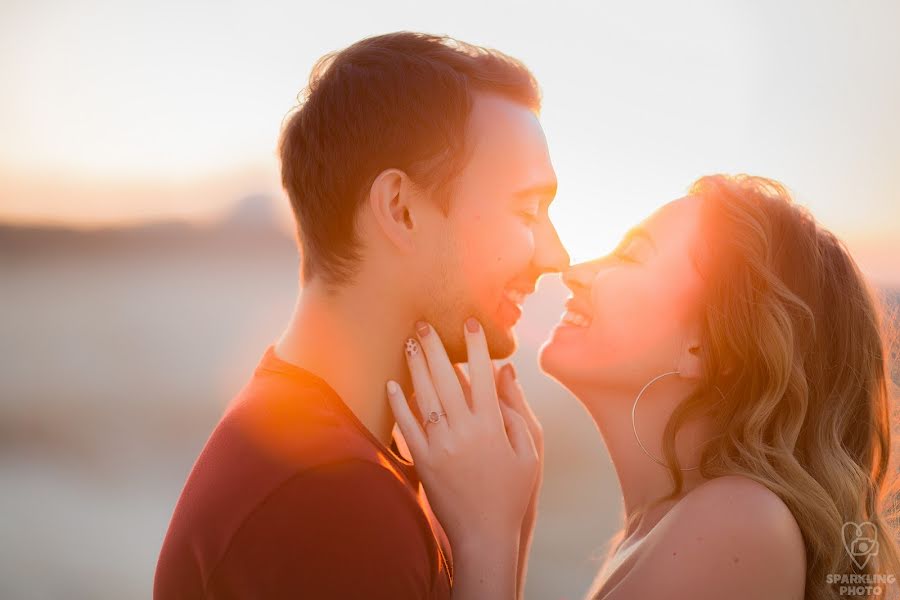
x=399, y=100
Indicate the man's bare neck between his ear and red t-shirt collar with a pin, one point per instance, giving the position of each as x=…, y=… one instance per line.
x=355, y=345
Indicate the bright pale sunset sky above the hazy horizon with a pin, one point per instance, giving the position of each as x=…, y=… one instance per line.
x=123, y=111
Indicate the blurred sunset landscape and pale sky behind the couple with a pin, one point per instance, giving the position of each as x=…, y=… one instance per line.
x=146, y=248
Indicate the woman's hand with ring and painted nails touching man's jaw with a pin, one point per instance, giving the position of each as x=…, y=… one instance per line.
x=475, y=456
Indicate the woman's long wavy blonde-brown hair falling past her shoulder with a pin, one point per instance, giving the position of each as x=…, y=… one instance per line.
x=797, y=338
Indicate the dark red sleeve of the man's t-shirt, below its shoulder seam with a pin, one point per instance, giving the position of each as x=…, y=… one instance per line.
x=337, y=530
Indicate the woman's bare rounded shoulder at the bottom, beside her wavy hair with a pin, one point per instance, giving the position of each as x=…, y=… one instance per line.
x=731, y=537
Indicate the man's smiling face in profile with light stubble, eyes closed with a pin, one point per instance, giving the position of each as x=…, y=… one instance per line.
x=497, y=239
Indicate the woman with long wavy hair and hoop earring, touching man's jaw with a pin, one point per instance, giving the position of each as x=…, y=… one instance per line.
x=732, y=357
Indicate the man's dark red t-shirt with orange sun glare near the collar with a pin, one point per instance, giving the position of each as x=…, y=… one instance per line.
x=292, y=497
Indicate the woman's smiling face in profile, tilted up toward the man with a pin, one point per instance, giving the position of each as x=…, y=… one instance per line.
x=635, y=313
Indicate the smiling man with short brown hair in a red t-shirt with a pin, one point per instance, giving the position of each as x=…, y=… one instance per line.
x=420, y=180
